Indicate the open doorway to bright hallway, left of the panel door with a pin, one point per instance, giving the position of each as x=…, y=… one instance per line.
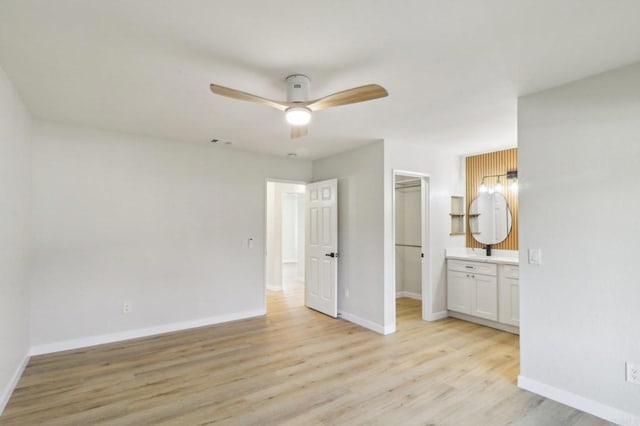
x=285, y=239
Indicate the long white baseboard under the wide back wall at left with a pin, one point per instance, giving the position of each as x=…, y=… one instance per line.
x=141, y=332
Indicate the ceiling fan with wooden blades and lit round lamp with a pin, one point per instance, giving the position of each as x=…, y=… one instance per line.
x=298, y=107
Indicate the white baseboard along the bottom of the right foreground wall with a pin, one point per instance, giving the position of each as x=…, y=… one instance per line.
x=576, y=401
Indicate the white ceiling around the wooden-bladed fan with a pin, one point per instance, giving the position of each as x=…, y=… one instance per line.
x=453, y=68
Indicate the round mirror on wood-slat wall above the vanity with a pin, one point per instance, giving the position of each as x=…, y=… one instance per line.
x=489, y=218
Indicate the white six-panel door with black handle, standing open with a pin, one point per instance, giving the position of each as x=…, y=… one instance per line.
x=321, y=283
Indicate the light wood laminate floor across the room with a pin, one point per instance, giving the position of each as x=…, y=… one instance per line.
x=293, y=367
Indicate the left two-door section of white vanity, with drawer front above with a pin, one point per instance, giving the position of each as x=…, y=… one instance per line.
x=472, y=288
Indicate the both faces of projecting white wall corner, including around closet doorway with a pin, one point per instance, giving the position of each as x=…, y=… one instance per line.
x=365, y=221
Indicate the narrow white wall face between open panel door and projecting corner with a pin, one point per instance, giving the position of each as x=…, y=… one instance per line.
x=360, y=229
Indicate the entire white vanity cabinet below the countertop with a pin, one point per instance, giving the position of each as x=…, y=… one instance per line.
x=484, y=292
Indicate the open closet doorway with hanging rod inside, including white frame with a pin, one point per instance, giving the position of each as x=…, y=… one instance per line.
x=411, y=195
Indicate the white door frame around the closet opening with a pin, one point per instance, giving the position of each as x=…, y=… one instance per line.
x=425, y=191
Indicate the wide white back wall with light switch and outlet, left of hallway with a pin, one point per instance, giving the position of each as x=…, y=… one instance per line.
x=159, y=223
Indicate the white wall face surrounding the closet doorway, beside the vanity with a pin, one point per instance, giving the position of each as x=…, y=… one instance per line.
x=445, y=180
